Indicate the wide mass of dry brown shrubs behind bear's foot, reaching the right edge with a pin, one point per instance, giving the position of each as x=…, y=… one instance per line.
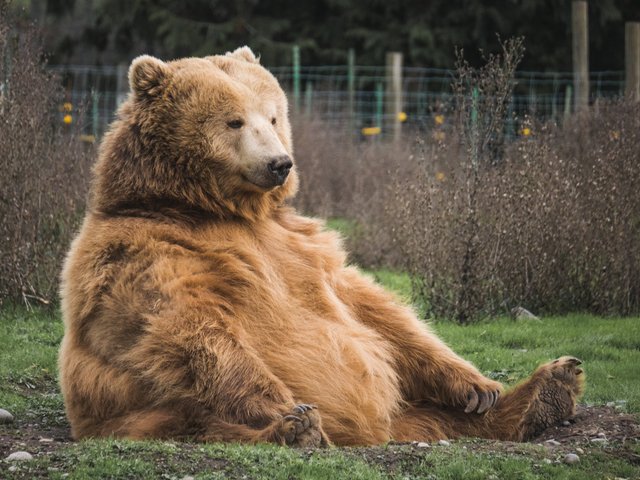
x=549, y=222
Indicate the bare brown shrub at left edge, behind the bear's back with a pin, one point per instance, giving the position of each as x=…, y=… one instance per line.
x=44, y=171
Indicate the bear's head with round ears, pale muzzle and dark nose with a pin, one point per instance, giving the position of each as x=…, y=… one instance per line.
x=198, y=134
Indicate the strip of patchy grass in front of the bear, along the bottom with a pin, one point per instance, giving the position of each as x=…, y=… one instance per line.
x=117, y=459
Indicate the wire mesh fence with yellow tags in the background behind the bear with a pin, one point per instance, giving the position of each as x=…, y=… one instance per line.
x=354, y=98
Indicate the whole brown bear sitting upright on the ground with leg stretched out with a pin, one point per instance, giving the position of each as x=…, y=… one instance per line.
x=198, y=305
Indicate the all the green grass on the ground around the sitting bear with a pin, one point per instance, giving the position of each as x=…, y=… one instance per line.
x=503, y=349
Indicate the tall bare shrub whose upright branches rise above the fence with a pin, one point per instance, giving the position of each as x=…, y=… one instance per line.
x=440, y=206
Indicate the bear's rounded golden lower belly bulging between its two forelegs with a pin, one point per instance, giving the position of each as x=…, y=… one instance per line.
x=340, y=365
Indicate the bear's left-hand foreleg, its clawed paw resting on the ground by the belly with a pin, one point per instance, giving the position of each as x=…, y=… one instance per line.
x=218, y=389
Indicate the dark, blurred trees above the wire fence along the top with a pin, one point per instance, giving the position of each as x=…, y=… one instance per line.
x=113, y=31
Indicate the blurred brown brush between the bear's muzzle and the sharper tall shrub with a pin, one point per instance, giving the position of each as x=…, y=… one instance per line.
x=353, y=179
